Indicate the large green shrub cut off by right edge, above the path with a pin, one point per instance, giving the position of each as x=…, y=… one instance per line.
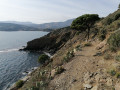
x=114, y=41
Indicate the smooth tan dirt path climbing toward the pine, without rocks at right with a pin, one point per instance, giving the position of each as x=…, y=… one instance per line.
x=83, y=62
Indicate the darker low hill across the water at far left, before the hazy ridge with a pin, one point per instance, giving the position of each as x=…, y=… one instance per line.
x=16, y=27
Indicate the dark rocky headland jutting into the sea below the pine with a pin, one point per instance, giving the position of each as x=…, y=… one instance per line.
x=52, y=41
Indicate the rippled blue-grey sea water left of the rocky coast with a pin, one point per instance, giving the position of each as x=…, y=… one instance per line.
x=13, y=62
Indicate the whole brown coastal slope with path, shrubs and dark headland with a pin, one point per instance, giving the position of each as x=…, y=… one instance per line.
x=78, y=64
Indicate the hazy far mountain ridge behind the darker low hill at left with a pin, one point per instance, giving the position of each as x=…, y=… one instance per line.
x=45, y=27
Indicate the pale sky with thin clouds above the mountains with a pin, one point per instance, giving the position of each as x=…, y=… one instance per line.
x=44, y=11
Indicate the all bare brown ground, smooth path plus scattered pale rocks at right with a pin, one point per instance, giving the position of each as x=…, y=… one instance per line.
x=86, y=71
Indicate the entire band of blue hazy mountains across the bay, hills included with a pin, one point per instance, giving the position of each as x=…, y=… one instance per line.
x=29, y=26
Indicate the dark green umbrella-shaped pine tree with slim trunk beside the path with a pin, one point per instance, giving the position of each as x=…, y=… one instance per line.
x=85, y=22
